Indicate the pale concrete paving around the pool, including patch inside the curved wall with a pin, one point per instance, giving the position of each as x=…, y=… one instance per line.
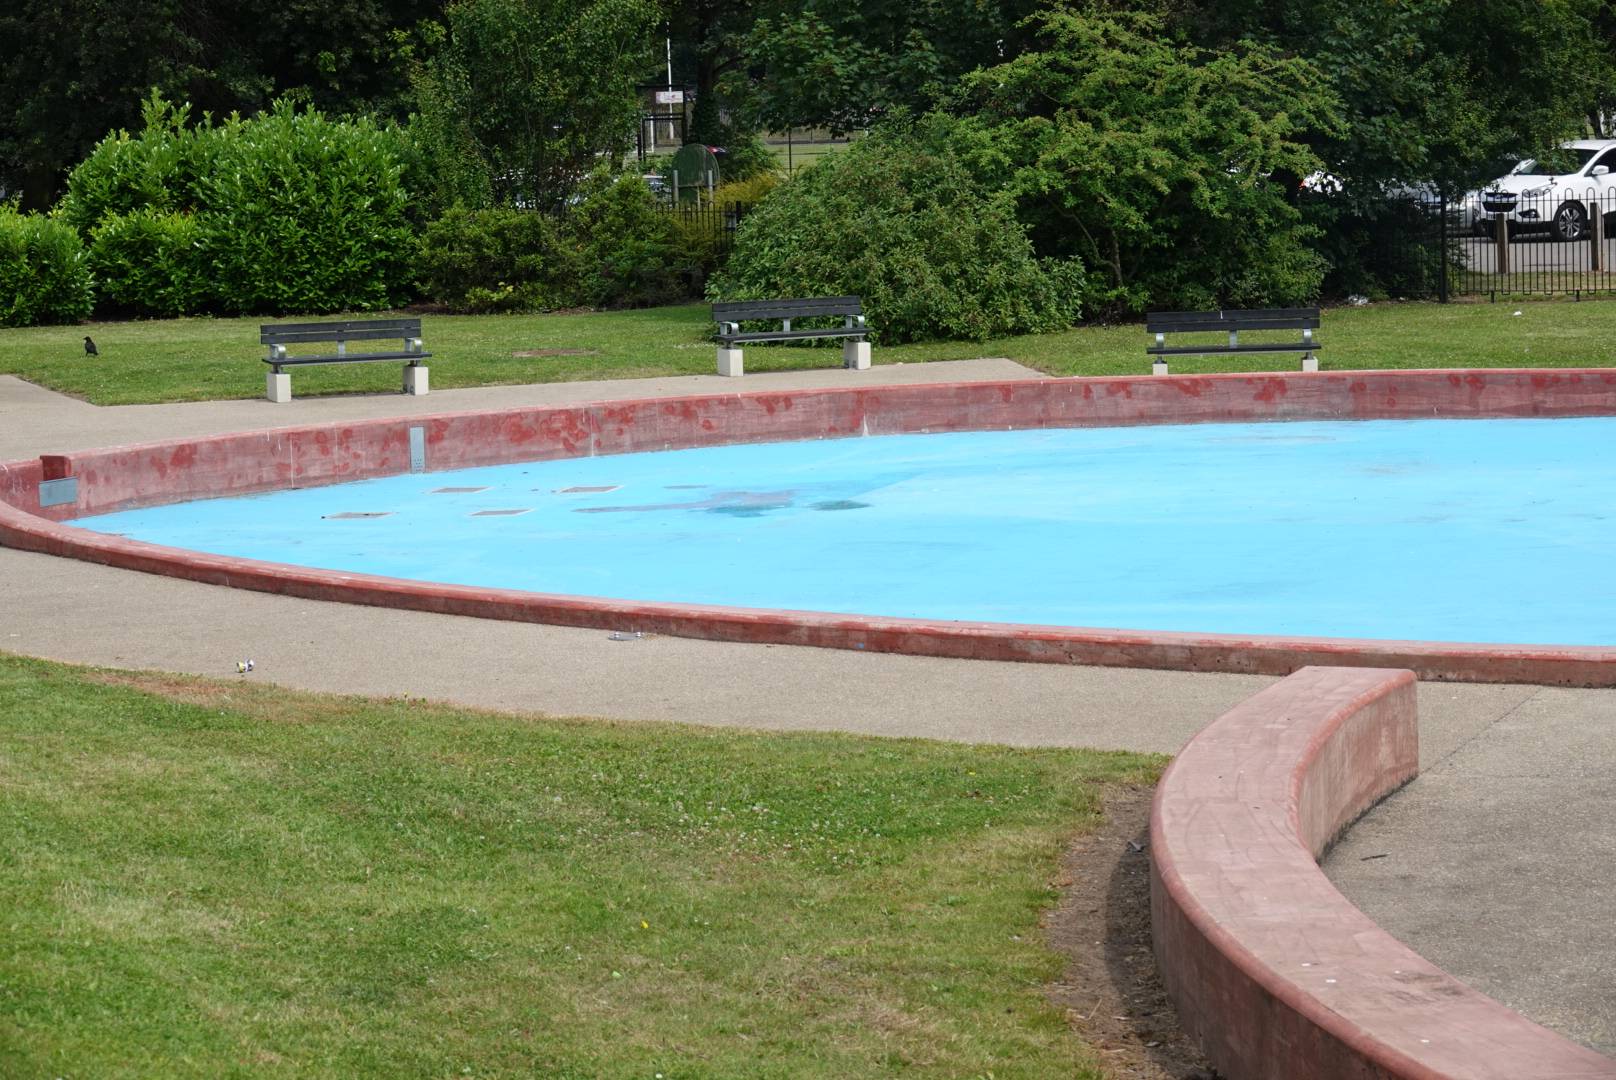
x=1470, y=861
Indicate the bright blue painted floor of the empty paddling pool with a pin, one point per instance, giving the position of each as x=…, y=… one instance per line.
x=1462, y=531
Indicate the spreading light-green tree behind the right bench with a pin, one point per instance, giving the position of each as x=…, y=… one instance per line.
x=1155, y=162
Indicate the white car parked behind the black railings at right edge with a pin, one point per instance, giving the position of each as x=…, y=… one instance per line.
x=1559, y=196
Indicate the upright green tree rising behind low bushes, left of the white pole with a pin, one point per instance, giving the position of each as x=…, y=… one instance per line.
x=524, y=96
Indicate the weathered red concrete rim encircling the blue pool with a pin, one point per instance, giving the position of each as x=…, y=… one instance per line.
x=101, y=481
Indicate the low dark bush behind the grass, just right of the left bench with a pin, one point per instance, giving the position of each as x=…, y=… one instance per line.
x=500, y=261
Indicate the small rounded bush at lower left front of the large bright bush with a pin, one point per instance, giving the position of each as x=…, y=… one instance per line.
x=151, y=263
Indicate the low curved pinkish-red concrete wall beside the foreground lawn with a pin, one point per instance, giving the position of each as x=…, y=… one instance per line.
x=1273, y=971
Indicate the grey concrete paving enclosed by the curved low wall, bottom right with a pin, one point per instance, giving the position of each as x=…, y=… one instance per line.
x=1499, y=863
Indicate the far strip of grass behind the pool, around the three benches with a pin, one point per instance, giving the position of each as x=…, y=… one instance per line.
x=191, y=360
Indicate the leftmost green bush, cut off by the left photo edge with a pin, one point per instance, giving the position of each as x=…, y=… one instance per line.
x=44, y=276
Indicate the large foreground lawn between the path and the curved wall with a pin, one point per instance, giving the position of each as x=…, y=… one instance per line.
x=208, y=879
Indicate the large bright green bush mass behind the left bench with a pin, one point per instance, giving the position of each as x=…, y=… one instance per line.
x=282, y=213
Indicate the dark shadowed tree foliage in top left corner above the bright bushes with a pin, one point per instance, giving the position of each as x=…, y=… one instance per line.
x=75, y=70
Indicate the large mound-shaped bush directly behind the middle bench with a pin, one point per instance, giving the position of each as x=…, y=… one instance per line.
x=903, y=222
